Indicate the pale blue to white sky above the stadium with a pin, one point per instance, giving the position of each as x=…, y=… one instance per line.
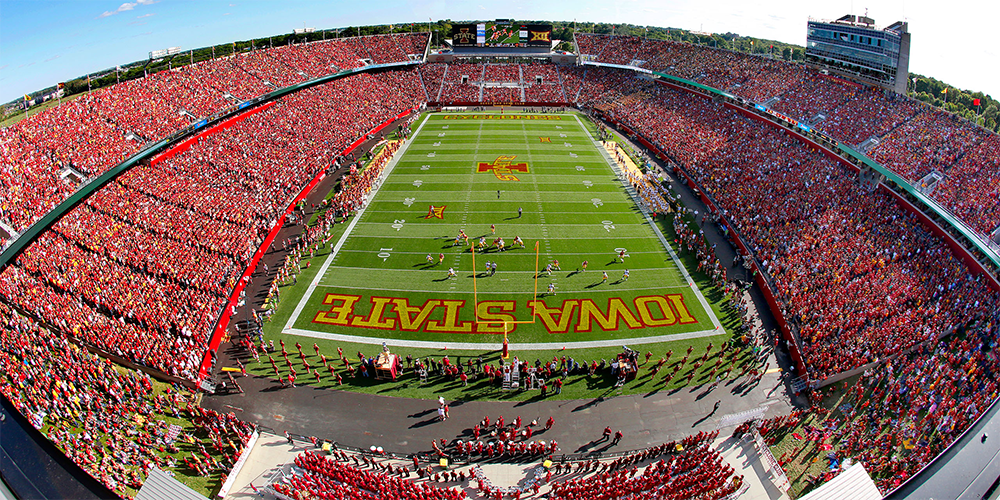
x=48, y=41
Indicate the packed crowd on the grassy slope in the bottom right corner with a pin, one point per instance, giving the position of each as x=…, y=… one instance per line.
x=898, y=417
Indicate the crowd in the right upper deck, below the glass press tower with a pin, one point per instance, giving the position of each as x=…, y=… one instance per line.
x=913, y=139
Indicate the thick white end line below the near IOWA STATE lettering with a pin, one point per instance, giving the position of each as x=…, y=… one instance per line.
x=489, y=346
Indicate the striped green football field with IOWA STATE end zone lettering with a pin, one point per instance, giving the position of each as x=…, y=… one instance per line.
x=541, y=178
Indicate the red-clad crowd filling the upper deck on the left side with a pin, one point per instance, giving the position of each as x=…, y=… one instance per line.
x=97, y=131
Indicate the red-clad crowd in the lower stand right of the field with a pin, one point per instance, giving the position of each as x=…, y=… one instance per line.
x=820, y=238
